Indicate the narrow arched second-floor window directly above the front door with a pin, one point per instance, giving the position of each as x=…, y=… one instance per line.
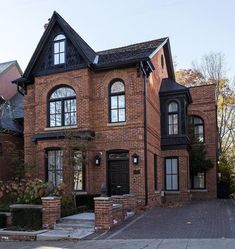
x=117, y=102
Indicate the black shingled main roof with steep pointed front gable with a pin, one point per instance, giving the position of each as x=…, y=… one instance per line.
x=112, y=58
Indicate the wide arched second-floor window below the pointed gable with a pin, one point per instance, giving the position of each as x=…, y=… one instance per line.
x=62, y=107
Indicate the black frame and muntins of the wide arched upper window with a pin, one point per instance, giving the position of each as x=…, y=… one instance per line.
x=62, y=100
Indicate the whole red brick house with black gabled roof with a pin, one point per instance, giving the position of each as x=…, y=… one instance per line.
x=127, y=103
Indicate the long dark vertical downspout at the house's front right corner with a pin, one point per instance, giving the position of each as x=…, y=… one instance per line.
x=145, y=134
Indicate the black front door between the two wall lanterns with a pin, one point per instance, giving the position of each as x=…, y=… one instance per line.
x=118, y=176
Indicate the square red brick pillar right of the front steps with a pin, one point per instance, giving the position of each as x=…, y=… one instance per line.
x=103, y=213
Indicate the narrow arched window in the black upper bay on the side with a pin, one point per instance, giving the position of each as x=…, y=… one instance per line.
x=173, y=126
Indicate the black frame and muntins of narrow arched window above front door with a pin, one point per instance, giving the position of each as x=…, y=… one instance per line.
x=117, y=94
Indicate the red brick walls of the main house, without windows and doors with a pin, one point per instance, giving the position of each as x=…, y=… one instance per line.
x=92, y=102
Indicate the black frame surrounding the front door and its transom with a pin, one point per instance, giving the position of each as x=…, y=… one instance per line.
x=116, y=151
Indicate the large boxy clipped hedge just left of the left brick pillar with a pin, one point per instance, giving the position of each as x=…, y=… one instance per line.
x=27, y=218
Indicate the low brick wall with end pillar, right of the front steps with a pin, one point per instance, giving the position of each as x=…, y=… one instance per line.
x=111, y=211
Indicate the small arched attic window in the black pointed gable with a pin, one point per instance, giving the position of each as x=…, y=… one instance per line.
x=59, y=49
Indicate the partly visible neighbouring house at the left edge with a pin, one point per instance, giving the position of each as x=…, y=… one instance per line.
x=11, y=120
